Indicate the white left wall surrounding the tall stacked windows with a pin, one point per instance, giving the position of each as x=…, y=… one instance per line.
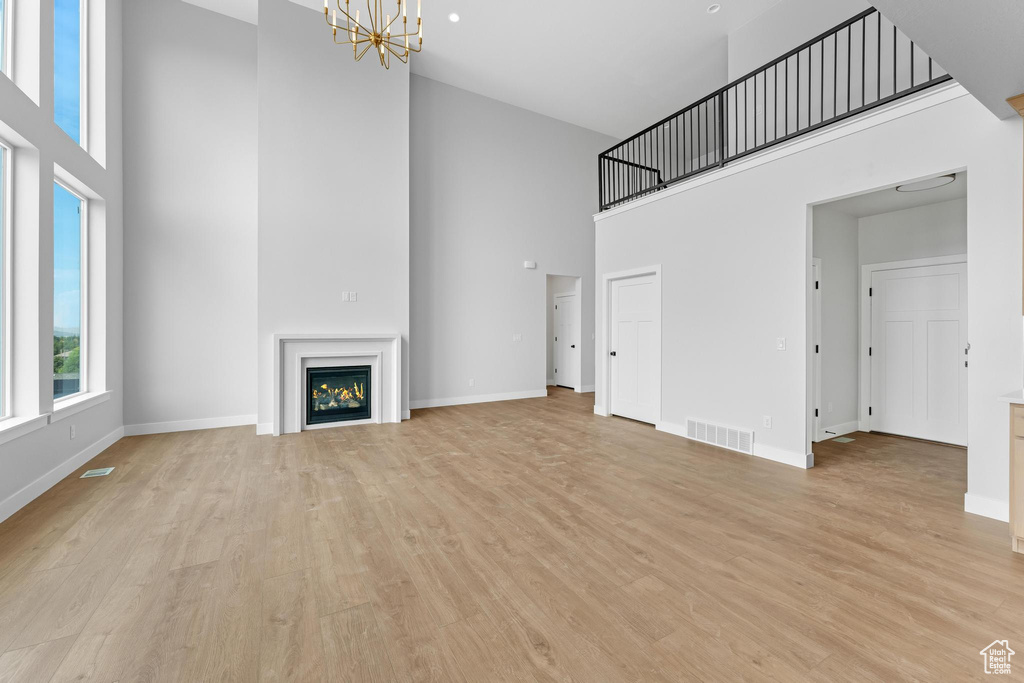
x=34, y=462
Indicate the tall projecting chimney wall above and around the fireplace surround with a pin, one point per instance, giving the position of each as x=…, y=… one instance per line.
x=333, y=189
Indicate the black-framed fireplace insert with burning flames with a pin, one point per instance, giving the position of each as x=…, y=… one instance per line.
x=337, y=395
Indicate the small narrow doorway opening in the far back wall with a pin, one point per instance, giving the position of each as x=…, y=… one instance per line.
x=565, y=327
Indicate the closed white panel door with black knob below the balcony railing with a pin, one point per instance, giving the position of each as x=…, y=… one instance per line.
x=635, y=324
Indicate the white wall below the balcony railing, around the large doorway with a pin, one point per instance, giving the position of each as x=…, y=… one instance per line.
x=735, y=249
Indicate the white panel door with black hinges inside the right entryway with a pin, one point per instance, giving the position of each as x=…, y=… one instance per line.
x=918, y=355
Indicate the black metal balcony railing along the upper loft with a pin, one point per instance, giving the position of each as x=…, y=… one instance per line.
x=862, y=64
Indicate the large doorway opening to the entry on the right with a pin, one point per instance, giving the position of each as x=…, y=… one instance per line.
x=889, y=351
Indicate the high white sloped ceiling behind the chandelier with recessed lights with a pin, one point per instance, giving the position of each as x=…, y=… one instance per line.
x=610, y=66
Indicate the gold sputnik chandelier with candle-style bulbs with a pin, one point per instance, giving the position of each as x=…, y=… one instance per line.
x=378, y=35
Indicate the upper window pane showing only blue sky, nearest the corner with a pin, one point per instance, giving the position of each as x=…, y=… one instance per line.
x=69, y=67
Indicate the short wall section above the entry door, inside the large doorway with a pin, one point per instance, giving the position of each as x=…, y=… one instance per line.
x=934, y=230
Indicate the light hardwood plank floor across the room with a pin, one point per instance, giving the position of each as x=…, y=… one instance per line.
x=504, y=542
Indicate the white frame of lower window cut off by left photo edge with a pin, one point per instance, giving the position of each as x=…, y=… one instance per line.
x=7, y=278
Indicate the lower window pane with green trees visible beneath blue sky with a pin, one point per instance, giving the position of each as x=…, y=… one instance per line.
x=69, y=294
